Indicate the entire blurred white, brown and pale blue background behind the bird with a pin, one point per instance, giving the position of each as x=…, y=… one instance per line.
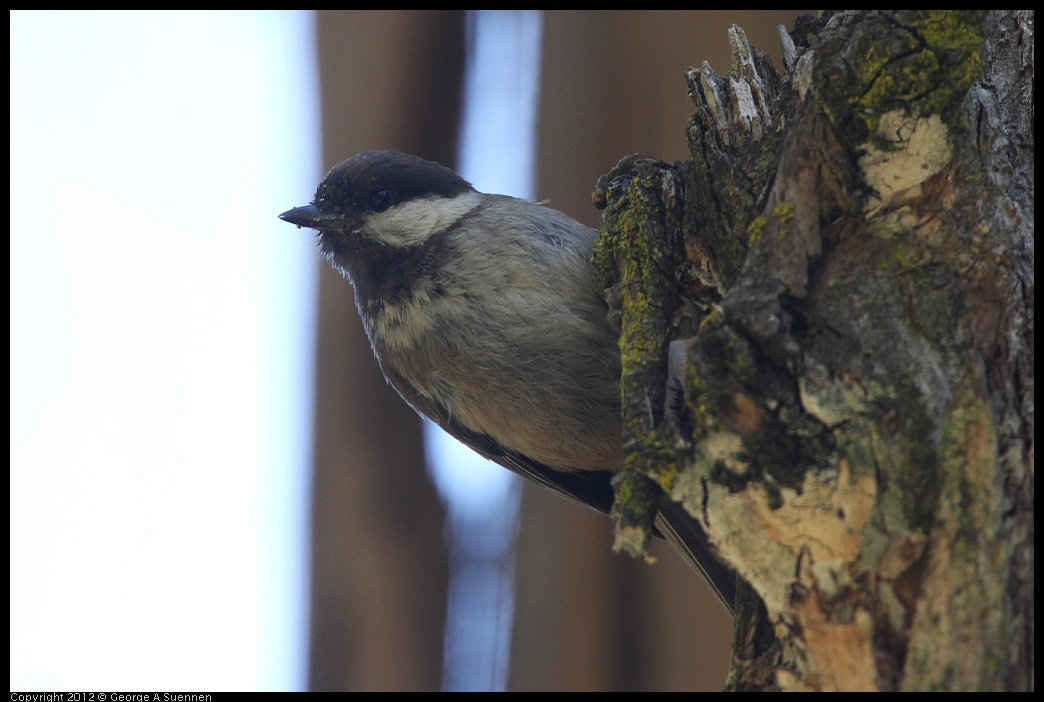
x=212, y=487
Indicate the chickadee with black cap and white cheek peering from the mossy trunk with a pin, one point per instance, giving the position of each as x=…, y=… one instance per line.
x=485, y=316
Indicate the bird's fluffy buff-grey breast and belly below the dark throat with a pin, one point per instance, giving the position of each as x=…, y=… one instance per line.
x=540, y=379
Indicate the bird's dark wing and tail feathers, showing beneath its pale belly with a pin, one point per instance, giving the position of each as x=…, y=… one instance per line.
x=590, y=488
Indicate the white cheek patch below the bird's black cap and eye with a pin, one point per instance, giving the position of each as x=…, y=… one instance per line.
x=412, y=223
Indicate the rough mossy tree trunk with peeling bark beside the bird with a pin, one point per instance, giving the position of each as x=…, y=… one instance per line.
x=849, y=254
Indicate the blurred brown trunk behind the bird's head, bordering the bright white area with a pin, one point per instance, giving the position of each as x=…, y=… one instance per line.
x=379, y=572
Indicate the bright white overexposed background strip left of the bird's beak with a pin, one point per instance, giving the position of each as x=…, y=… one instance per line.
x=161, y=349
